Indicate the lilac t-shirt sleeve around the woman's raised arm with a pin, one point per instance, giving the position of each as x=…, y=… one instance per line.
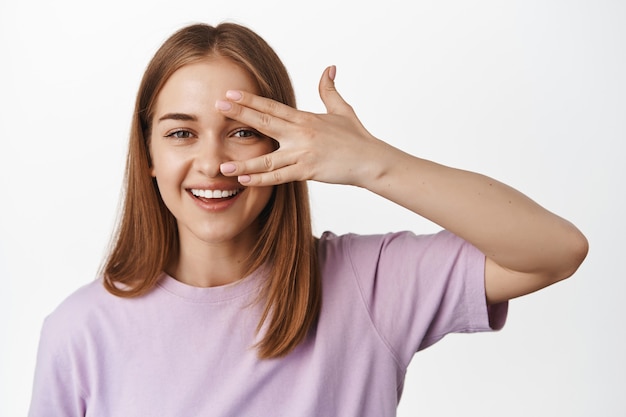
x=419, y=288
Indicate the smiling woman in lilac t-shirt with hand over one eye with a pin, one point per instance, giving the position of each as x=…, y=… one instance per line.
x=216, y=298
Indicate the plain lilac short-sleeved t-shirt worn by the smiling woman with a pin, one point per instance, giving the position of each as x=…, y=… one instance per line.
x=188, y=351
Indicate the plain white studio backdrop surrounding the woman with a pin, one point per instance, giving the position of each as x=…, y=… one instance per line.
x=532, y=93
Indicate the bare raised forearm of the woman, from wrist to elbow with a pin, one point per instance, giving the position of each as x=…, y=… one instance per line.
x=508, y=227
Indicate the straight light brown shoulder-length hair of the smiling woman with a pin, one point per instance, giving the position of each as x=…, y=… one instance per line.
x=146, y=238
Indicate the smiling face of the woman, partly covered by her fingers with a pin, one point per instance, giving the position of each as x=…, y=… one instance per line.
x=189, y=141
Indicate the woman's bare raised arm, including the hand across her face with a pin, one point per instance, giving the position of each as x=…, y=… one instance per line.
x=526, y=246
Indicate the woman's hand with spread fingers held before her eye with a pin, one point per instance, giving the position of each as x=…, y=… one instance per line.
x=332, y=147
